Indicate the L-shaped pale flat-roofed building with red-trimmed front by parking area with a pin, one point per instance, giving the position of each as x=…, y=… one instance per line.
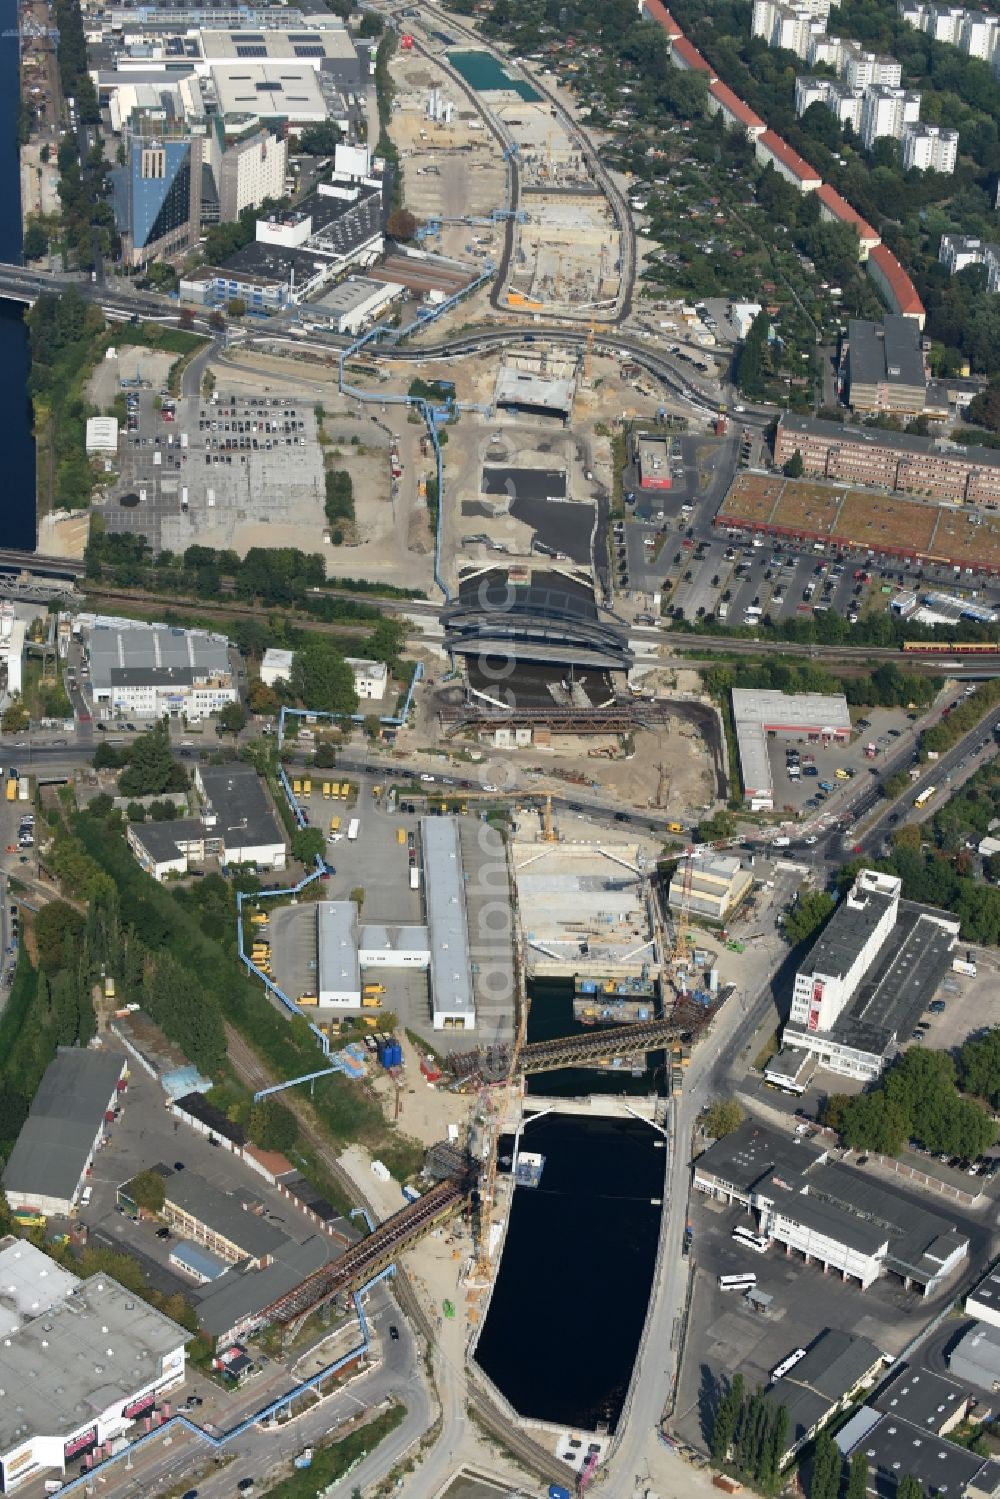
x=762, y=714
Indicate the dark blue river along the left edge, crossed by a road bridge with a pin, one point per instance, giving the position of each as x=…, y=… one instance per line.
x=17, y=507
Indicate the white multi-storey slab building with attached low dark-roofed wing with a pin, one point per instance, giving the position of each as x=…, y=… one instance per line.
x=864, y=986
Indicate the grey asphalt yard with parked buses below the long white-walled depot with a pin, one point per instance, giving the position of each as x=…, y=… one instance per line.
x=726, y=1336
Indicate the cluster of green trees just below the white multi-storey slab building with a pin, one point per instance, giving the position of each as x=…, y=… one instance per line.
x=918, y=1100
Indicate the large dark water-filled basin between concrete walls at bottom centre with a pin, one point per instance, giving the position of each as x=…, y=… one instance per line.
x=570, y=1300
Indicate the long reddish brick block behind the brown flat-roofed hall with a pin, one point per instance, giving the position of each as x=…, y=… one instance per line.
x=891, y=461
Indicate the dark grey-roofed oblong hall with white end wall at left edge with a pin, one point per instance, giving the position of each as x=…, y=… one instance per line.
x=65, y=1126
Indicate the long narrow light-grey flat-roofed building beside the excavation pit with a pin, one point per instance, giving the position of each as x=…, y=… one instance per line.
x=452, y=999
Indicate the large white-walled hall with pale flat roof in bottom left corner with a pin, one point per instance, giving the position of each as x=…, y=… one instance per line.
x=80, y=1374
